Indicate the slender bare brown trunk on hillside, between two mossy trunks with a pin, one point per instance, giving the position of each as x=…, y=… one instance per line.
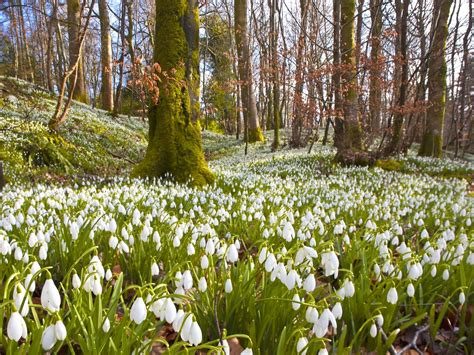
x=106, y=92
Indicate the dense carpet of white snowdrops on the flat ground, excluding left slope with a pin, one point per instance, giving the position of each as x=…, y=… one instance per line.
x=275, y=255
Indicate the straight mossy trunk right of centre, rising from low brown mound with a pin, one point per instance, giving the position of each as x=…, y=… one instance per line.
x=352, y=138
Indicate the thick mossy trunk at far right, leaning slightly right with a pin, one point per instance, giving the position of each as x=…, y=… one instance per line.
x=432, y=142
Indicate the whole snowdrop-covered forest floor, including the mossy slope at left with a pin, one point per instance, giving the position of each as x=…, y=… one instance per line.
x=286, y=251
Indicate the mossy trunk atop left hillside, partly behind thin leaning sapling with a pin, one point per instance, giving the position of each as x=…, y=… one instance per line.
x=74, y=26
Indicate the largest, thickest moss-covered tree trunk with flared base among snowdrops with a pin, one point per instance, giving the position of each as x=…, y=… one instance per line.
x=174, y=146
